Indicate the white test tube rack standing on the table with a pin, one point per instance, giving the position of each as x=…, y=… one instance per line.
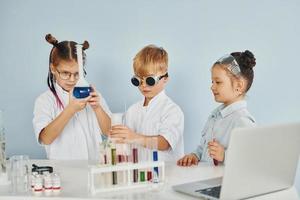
x=100, y=171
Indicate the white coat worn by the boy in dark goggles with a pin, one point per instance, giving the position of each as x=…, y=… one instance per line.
x=161, y=117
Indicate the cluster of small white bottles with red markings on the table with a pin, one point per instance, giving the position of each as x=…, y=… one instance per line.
x=45, y=183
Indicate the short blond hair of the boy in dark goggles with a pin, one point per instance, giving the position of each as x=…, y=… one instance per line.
x=150, y=60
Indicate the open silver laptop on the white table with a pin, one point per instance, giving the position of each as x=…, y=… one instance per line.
x=259, y=161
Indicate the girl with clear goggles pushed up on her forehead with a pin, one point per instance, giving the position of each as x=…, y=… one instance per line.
x=232, y=77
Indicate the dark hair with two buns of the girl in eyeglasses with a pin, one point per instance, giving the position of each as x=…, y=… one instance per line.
x=66, y=51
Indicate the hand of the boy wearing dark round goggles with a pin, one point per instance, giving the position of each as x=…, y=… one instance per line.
x=123, y=133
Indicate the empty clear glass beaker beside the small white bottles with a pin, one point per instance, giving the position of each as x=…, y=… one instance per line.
x=19, y=173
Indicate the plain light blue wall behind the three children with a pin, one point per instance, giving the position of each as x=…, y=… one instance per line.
x=194, y=32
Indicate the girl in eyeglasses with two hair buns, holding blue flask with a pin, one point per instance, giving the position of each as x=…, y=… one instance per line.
x=69, y=128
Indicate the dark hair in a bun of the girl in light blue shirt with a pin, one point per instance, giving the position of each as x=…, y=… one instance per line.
x=246, y=61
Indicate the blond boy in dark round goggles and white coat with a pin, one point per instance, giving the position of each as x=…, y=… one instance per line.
x=156, y=116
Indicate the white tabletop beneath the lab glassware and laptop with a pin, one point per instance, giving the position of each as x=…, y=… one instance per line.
x=74, y=183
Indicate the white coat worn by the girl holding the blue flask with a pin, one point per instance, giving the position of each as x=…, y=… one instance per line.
x=81, y=136
